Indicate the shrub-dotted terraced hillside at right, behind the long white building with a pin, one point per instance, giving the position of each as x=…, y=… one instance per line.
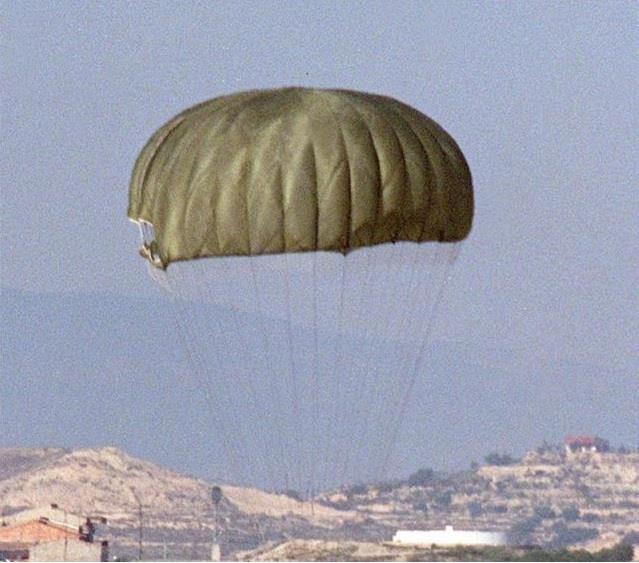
x=549, y=498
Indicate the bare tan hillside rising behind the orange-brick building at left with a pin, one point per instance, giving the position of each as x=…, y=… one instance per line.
x=177, y=516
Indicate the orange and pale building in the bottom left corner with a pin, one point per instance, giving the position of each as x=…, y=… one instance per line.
x=50, y=534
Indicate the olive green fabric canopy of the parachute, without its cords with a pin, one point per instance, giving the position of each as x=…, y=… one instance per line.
x=298, y=169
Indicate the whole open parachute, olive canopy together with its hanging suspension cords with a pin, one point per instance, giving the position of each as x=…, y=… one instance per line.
x=304, y=237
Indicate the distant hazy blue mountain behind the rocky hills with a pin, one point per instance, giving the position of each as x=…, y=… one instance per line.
x=83, y=370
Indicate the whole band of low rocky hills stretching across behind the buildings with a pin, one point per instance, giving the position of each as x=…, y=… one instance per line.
x=548, y=498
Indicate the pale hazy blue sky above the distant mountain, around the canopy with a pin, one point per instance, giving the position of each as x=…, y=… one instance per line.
x=541, y=96
